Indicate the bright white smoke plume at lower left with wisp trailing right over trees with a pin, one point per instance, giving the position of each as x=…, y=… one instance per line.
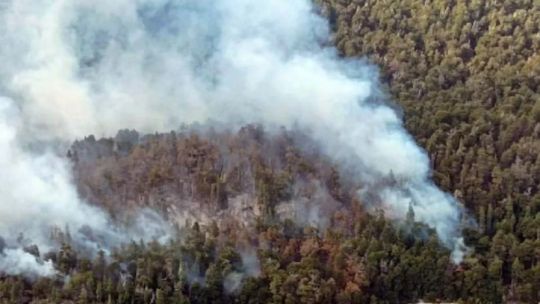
x=38, y=195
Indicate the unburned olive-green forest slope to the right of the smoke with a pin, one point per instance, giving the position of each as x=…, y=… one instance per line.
x=467, y=74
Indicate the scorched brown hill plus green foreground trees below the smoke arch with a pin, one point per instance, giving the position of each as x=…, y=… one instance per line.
x=259, y=217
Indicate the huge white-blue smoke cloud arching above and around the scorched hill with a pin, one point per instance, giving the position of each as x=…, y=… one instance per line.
x=73, y=68
